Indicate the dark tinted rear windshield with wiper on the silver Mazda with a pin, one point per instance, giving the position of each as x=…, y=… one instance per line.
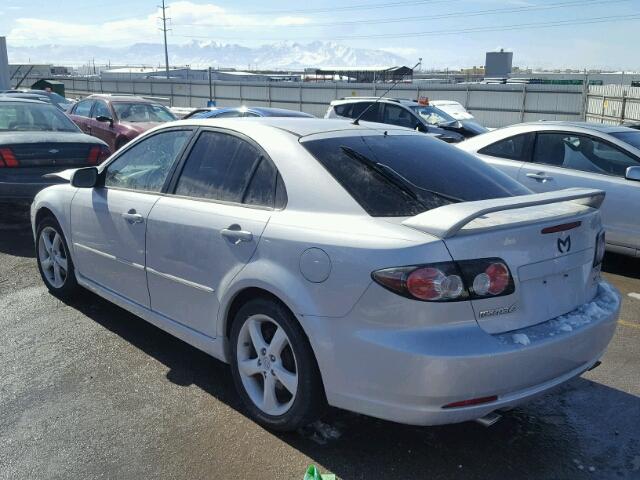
x=404, y=175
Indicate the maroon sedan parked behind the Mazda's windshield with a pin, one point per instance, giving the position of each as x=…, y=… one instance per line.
x=118, y=119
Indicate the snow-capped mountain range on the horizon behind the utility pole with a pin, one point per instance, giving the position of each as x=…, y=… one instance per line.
x=285, y=55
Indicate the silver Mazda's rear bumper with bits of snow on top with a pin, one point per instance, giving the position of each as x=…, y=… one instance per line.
x=408, y=375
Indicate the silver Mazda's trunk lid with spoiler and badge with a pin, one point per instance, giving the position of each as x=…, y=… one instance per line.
x=549, y=247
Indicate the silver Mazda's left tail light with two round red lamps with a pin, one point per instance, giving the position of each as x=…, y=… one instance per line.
x=449, y=281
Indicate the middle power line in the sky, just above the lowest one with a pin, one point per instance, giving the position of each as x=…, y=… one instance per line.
x=424, y=17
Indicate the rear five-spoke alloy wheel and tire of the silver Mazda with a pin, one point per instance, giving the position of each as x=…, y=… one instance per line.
x=256, y=362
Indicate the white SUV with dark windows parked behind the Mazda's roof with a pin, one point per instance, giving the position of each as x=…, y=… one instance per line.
x=405, y=113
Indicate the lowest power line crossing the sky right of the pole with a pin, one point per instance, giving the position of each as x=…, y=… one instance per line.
x=586, y=21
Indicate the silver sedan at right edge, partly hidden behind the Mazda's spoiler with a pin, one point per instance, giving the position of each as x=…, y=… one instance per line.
x=547, y=156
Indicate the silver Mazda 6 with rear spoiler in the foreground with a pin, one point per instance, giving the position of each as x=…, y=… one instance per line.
x=361, y=266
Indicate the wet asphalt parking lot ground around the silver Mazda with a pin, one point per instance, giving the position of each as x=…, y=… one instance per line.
x=90, y=391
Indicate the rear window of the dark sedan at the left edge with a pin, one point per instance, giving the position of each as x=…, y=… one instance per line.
x=34, y=117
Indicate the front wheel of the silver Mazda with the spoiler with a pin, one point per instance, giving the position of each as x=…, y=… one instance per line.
x=54, y=261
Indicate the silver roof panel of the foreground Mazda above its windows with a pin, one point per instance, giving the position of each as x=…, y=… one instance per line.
x=297, y=126
